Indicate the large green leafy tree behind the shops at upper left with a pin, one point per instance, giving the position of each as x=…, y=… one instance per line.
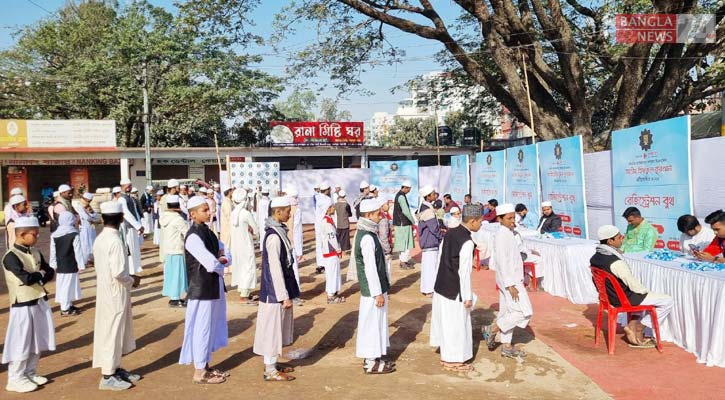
x=89, y=60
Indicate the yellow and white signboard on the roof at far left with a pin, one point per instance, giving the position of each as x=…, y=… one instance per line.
x=57, y=134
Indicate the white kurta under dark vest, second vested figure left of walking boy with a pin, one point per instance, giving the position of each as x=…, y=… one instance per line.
x=372, y=324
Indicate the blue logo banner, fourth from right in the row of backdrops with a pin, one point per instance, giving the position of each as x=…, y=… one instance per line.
x=489, y=176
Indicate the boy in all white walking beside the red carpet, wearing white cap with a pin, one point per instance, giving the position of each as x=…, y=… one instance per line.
x=514, y=305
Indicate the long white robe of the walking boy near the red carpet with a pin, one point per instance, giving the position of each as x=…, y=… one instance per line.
x=509, y=266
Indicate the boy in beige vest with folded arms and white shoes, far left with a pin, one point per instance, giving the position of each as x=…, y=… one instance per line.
x=26, y=272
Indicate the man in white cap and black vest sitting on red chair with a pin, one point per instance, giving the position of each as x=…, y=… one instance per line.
x=609, y=258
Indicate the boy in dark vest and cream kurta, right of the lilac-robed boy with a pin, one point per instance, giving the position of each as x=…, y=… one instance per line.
x=275, y=320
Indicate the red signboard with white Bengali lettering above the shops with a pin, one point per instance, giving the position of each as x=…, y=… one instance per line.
x=317, y=133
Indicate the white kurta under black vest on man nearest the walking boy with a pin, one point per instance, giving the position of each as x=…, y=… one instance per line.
x=450, y=327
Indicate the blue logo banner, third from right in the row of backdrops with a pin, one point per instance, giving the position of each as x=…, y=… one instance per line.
x=522, y=179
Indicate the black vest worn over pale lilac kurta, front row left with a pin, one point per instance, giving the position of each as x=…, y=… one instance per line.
x=203, y=285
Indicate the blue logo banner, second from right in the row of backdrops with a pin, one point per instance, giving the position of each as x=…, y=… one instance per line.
x=562, y=182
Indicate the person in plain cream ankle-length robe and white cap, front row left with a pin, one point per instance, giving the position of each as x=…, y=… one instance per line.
x=113, y=329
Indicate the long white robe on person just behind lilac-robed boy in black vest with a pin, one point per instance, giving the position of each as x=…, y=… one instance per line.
x=244, y=267
